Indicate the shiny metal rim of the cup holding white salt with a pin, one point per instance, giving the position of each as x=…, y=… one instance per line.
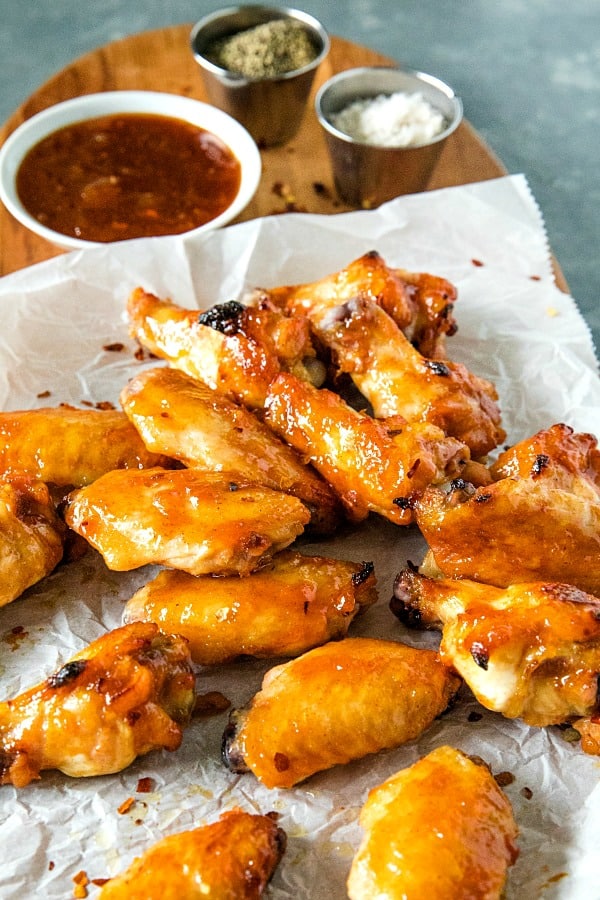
x=417, y=75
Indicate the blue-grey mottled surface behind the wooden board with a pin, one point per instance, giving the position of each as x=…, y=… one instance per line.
x=528, y=72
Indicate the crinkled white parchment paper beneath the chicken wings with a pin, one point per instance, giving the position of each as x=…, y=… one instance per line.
x=515, y=328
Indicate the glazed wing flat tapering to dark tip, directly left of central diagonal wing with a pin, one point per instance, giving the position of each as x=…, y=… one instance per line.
x=185, y=419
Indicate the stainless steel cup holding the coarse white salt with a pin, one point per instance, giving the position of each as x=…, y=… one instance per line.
x=365, y=174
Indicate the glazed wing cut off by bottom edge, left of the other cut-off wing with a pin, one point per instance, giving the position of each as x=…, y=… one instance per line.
x=230, y=859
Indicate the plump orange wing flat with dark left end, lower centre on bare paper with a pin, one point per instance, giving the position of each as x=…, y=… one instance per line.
x=334, y=704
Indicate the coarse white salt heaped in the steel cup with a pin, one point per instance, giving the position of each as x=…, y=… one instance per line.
x=390, y=120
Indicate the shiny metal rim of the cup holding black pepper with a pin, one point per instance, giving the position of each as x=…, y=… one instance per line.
x=274, y=13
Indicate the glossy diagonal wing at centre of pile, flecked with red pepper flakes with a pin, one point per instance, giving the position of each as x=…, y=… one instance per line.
x=372, y=465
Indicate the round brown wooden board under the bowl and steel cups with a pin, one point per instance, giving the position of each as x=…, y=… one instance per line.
x=296, y=176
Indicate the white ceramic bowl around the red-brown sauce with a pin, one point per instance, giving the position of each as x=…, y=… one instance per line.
x=91, y=106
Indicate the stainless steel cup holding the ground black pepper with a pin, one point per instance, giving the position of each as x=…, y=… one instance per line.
x=271, y=109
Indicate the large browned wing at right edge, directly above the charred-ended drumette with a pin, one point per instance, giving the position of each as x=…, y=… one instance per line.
x=540, y=521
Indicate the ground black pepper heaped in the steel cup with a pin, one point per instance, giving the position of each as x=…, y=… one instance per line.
x=264, y=51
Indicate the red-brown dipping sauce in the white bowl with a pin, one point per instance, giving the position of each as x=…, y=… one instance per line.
x=128, y=175
